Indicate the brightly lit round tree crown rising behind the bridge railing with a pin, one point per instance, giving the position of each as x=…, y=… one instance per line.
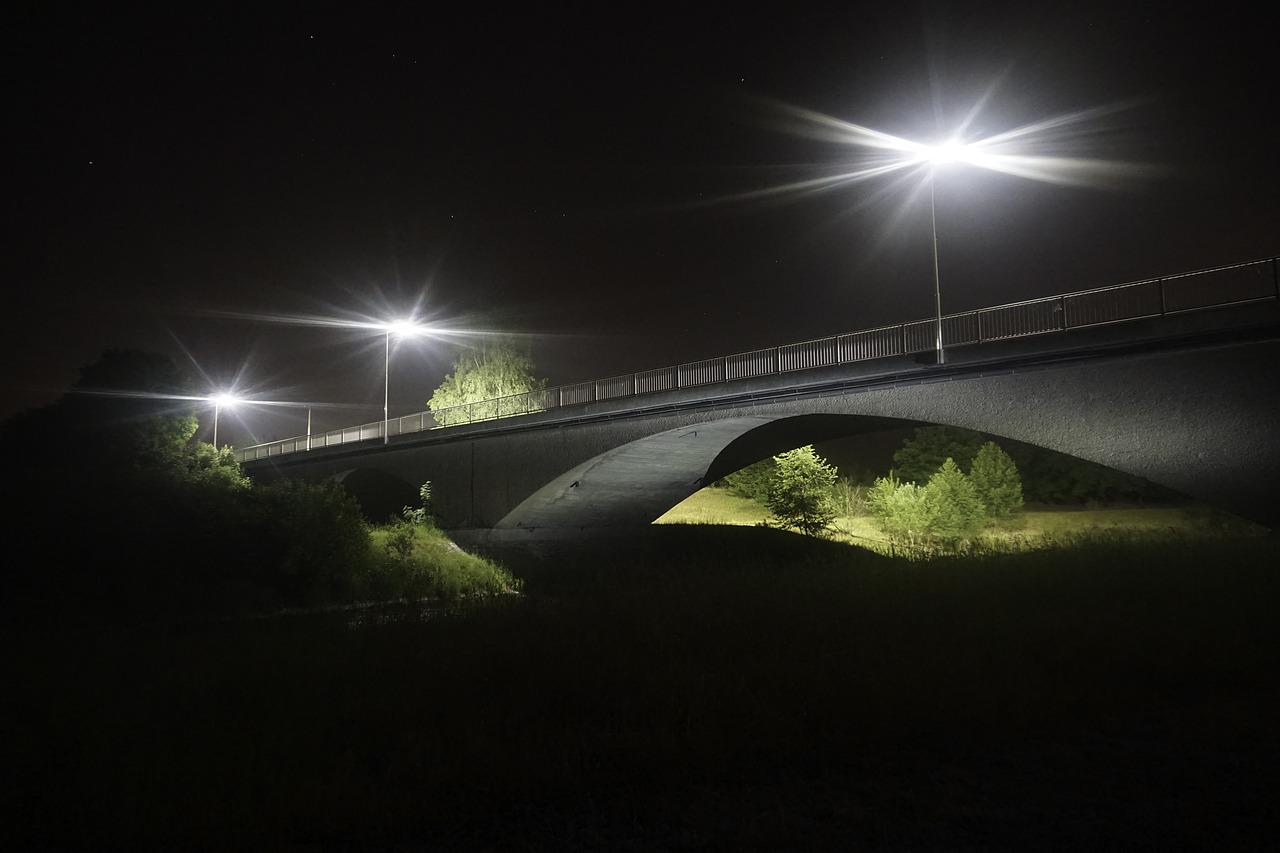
x=496, y=381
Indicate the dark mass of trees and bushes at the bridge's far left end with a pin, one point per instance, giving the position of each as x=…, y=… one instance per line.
x=116, y=508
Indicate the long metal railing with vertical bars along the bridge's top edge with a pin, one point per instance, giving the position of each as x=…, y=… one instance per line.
x=1209, y=289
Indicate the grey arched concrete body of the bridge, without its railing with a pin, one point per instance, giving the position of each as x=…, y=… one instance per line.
x=1197, y=414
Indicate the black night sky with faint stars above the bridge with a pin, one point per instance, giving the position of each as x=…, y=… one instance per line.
x=574, y=176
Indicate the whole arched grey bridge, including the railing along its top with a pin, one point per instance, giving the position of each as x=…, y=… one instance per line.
x=1174, y=380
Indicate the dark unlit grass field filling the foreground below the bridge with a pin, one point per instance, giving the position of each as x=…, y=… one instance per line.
x=712, y=690
